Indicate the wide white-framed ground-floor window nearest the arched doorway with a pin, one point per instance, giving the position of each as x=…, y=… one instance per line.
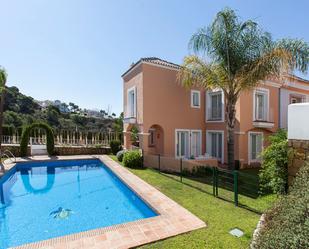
x=188, y=143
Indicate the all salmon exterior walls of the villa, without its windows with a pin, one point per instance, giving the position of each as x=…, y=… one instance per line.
x=164, y=104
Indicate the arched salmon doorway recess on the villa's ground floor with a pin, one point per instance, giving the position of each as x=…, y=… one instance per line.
x=156, y=140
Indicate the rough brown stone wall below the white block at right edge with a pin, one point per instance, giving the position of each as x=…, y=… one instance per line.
x=298, y=156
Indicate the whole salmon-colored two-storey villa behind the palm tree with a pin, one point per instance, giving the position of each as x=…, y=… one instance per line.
x=177, y=122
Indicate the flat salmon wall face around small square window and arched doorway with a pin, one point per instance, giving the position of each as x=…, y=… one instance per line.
x=168, y=105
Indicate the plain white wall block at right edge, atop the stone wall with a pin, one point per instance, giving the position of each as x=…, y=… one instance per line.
x=298, y=121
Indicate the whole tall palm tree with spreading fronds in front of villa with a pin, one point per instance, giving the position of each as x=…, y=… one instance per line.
x=235, y=56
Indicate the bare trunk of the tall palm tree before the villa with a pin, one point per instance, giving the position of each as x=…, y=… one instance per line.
x=230, y=113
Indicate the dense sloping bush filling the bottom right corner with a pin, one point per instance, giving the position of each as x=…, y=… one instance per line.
x=287, y=223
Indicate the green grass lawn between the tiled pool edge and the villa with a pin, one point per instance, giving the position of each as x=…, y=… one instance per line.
x=220, y=215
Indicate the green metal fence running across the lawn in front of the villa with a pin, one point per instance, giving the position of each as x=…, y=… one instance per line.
x=237, y=186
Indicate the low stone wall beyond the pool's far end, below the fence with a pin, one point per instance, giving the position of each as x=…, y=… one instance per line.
x=62, y=150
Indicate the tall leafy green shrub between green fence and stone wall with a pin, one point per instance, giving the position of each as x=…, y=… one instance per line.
x=273, y=174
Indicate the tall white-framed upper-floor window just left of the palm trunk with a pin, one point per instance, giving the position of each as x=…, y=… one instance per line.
x=215, y=106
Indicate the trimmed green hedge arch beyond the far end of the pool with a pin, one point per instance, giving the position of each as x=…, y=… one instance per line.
x=50, y=143
